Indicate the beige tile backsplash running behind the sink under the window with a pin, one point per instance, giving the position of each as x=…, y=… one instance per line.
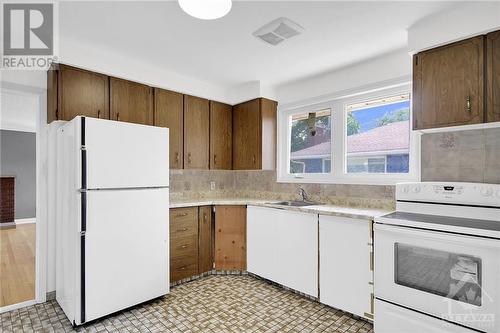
x=195, y=184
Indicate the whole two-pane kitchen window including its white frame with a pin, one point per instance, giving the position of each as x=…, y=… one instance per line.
x=363, y=138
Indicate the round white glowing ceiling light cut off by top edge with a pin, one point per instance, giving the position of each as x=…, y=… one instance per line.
x=206, y=9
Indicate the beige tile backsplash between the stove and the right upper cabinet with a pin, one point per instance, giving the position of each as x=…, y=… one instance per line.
x=466, y=156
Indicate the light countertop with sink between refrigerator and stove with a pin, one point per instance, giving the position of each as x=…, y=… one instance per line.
x=351, y=212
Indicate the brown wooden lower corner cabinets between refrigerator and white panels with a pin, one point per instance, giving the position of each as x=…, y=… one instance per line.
x=198, y=243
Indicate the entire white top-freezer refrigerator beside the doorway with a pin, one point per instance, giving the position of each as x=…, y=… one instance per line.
x=112, y=223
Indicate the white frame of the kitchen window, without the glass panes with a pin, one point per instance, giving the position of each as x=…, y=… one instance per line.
x=338, y=158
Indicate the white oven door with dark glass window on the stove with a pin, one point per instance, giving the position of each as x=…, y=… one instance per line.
x=451, y=277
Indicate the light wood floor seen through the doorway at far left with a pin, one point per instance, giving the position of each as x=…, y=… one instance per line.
x=17, y=264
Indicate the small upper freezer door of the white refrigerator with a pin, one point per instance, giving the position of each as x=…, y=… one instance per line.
x=124, y=155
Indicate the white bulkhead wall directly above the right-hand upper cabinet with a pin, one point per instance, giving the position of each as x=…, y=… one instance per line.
x=464, y=20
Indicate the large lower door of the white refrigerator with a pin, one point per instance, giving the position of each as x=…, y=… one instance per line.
x=126, y=249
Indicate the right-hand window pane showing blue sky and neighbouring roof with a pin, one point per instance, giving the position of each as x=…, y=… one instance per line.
x=378, y=135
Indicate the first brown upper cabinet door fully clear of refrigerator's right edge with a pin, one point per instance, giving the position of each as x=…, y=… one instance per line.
x=196, y=132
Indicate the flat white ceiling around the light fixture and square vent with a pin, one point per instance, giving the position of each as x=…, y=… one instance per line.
x=224, y=51
